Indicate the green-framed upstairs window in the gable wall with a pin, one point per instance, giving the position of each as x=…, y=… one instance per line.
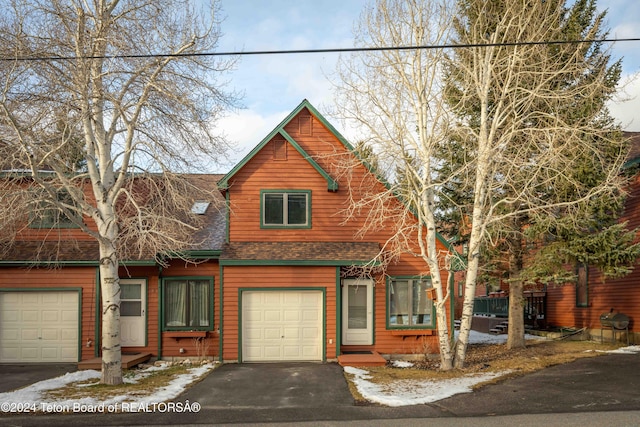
x=286, y=209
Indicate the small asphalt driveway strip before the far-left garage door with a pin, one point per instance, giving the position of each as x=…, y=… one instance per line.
x=18, y=376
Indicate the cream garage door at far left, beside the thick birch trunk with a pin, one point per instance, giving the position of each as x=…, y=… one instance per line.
x=38, y=327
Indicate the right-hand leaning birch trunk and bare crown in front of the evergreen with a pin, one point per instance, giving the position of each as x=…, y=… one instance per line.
x=530, y=114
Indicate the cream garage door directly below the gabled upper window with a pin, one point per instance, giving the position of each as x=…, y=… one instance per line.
x=281, y=326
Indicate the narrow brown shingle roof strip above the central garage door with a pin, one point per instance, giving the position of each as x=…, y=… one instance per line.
x=338, y=252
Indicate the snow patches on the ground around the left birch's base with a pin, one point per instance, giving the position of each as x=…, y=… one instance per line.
x=34, y=397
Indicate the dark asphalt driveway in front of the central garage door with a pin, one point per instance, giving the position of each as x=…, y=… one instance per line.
x=272, y=385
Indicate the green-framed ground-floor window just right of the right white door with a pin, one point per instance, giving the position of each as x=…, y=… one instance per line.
x=409, y=305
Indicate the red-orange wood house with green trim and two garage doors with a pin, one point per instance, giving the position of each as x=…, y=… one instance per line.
x=279, y=276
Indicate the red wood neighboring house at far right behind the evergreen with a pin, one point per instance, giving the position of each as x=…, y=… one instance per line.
x=582, y=304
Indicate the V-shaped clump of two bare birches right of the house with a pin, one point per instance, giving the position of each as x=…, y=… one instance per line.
x=516, y=129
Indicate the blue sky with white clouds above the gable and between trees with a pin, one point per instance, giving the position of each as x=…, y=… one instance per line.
x=273, y=85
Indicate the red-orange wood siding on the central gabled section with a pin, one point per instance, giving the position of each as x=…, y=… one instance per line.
x=263, y=172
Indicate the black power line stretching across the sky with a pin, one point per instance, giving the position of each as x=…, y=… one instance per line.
x=312, y=51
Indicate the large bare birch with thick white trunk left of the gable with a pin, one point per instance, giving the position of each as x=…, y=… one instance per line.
x=99, y=101
